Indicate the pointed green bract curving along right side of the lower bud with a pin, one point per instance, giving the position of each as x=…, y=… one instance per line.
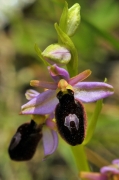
x=67, y=42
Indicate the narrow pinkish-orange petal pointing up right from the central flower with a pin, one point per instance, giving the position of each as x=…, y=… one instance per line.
x=80, y=77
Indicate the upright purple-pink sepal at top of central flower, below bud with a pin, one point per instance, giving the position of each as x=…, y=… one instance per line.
x=58, y=73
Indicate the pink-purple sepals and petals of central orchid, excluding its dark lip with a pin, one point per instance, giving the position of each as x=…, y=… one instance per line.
x=46, y=102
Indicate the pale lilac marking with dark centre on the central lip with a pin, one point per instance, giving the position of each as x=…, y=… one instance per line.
x=71, y=122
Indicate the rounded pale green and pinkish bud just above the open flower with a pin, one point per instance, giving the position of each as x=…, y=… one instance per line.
x=56, y=53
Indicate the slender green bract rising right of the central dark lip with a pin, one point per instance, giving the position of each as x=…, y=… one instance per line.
x=92, y=124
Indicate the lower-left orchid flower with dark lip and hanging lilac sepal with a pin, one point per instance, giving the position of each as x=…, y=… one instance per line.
x=25, y=141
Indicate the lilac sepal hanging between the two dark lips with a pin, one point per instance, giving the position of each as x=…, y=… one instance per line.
x=50, y=141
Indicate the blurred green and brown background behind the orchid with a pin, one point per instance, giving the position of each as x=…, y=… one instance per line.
x=26, y=22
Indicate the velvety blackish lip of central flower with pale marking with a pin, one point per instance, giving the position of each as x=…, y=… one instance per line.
x=70, y=118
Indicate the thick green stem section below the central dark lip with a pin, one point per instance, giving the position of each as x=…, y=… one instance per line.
x=80, y=158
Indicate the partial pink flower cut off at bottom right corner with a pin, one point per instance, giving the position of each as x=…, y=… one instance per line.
x=110, y=172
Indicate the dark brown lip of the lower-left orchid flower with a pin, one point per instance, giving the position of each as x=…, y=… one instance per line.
x=24, y=142
